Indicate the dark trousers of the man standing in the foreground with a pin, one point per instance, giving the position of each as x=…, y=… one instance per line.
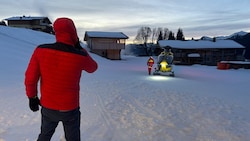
x=70, y=121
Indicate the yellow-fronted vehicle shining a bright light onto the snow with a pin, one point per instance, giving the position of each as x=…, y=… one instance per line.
x=165, y=64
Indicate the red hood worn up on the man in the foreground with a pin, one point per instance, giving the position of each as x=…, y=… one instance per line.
x=65, y=31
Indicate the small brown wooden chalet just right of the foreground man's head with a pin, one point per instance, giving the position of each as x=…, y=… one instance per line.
x=106, y=44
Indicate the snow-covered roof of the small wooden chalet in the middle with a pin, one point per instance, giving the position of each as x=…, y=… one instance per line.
x=99, y=34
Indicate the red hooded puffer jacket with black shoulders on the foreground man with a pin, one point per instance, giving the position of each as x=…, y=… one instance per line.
x=58, y=66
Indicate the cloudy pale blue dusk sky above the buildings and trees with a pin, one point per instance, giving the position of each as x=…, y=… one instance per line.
x=195, y=17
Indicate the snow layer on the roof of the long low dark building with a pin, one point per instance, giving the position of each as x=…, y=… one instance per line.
x=201, y=44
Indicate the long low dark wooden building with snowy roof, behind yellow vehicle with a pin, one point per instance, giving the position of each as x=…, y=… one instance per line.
x=203, y=51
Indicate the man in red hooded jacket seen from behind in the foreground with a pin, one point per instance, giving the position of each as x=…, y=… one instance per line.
x=58, y=66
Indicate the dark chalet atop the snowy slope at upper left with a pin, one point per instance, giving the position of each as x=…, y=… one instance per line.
x=35, y=23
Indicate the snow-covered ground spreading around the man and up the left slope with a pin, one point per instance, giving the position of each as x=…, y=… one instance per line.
x=120, y=102
